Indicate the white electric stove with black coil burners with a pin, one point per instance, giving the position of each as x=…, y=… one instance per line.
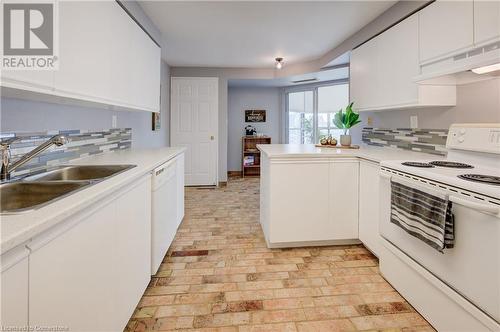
x=458, y=290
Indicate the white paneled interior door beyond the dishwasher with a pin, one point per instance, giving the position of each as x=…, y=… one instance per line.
x=194, y=110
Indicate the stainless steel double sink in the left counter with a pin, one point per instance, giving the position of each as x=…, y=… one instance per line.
x=34, y=191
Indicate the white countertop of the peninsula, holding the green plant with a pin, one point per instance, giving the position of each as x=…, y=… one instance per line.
x=373, y=153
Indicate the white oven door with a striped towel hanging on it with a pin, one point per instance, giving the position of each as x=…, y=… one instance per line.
x=472, y=267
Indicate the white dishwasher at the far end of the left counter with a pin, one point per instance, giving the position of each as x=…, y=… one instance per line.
x=164, y=211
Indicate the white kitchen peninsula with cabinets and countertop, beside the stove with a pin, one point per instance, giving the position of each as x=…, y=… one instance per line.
x=322, y=196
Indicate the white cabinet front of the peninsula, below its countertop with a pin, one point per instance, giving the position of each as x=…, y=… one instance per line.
x=309, y=201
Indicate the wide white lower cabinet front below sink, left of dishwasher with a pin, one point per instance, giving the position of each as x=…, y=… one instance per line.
x=88, y=273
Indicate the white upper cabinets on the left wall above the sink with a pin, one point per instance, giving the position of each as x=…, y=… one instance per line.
x=108, y=61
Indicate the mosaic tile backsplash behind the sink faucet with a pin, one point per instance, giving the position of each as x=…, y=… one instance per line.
x=82, y=143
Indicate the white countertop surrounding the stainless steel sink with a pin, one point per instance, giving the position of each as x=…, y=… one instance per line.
x=19, y=228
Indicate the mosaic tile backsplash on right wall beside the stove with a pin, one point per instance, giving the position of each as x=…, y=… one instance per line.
x=421, y=140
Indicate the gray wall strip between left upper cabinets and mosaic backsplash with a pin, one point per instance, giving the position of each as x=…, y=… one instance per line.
x=28, y=116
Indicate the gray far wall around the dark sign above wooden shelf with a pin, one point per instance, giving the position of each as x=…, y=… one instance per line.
x=240, y=99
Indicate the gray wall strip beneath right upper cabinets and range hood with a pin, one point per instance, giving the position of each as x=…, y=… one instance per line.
x=476, y=103
